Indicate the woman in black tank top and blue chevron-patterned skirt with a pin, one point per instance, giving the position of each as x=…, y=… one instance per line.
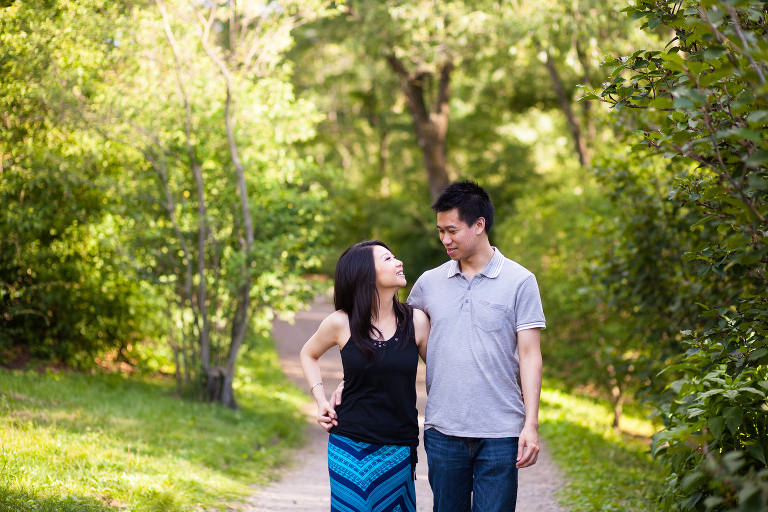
x=374, y=431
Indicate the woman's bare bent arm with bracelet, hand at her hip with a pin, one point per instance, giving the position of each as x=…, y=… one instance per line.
x=328, y=334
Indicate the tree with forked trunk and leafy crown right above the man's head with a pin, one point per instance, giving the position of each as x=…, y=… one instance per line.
x=422, y=45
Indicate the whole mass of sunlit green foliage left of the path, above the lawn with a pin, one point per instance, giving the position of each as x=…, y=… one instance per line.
x=150, y=182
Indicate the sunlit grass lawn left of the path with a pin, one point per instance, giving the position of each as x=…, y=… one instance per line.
x=75, y=442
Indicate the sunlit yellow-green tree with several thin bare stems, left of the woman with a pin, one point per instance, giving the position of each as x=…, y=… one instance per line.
x=214, y=210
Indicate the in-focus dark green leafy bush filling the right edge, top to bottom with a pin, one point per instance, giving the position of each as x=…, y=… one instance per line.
x=703, y=104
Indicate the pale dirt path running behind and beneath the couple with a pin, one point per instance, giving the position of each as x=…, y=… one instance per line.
x=305, y=486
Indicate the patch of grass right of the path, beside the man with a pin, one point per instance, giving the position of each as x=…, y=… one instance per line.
x=605, y=471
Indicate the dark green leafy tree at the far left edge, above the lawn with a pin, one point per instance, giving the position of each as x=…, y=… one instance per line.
x=62, y=295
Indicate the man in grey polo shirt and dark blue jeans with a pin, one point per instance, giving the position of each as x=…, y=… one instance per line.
x=483, y=355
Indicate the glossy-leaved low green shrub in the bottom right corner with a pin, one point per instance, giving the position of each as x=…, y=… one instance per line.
x=716, y=438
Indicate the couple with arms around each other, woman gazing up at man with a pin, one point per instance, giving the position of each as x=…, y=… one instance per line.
x=476, y=322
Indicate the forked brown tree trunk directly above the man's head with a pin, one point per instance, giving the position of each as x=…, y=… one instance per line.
x=430, y=125
